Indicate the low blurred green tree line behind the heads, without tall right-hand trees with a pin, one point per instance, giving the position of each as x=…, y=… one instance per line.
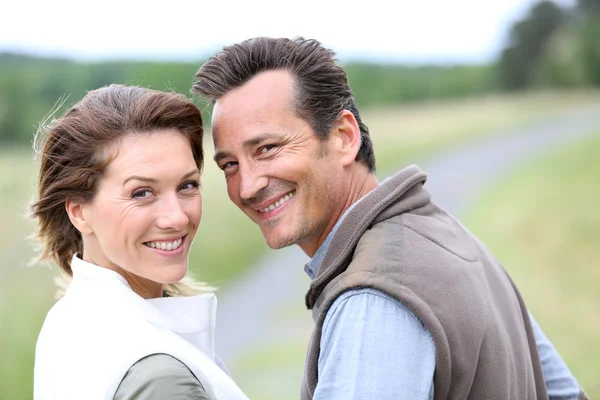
x=30, y=86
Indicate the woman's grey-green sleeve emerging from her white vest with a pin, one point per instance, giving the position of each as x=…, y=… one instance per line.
x=158, y=377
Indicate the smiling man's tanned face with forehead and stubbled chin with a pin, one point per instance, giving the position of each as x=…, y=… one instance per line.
x=278, y=172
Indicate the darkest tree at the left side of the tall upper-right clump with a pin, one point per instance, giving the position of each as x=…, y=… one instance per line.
x=528, y=40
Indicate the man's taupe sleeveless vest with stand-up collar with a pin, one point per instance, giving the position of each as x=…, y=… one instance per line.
x=398, y=241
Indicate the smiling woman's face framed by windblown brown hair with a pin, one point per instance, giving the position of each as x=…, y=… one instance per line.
x=146, y=211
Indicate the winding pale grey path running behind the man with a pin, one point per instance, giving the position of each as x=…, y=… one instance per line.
x=251, y=311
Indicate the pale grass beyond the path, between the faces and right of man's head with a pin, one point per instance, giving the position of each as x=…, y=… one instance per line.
x=399, y=133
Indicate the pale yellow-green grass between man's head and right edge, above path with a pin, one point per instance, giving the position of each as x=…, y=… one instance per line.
x=404, y=132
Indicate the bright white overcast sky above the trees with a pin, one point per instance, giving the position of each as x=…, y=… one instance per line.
x=440, y=31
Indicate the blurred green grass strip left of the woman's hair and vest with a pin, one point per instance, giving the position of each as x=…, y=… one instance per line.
x=25, y=293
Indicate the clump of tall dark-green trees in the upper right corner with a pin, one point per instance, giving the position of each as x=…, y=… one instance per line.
x=553, y=47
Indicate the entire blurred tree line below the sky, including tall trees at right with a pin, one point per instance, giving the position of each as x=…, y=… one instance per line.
x=550, y=47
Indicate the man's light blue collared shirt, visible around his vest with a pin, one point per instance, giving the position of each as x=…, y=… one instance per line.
x=373, y=347
